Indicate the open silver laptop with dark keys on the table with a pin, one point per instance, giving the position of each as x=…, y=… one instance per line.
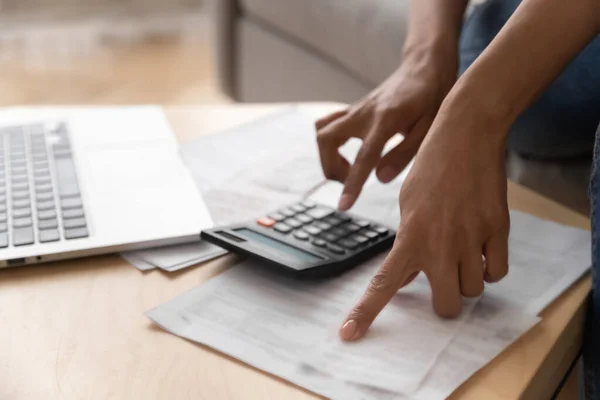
x=80, y=182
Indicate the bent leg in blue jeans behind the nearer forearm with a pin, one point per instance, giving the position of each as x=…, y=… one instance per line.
x=562, y=122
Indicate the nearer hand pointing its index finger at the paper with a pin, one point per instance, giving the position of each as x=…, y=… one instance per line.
x=454, y=210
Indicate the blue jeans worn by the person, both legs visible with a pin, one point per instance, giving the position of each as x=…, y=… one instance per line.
x=561, y=124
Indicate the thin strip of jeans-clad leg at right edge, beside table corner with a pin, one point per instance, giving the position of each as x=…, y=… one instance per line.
x=591, y=345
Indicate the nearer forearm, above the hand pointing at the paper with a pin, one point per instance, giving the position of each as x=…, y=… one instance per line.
x=535, y=45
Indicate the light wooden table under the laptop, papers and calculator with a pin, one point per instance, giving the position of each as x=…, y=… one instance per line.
x=76, y=329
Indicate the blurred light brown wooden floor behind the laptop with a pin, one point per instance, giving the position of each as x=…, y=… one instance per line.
x=166, y=72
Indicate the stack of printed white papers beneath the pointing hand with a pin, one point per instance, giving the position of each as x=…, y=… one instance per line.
x=289, y=328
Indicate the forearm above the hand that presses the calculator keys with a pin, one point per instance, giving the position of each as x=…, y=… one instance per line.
x=432, y=40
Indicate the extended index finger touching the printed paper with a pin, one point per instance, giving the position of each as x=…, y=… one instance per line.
x=393, y=274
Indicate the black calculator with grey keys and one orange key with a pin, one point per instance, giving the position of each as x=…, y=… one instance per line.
x=306, y=239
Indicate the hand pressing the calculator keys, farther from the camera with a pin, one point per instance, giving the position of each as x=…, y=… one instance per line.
x=405, y=103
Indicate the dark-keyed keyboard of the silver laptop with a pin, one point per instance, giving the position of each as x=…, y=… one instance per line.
x=40, y=200
